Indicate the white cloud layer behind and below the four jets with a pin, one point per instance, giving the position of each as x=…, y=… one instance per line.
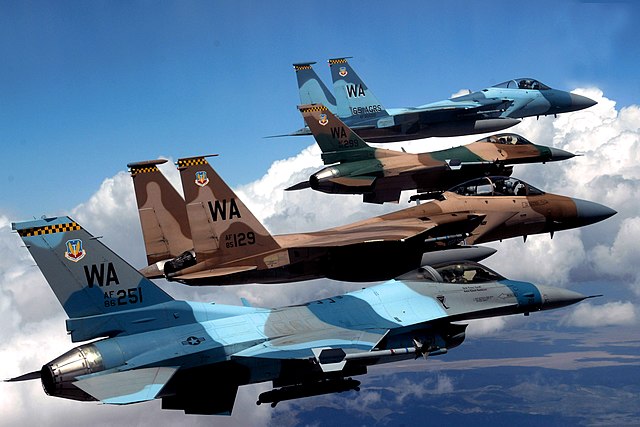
x=33, y=331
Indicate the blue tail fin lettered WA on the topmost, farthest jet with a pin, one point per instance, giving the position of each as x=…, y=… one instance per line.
x=353, y=96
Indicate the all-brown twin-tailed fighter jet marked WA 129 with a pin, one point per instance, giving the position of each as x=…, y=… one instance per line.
x=225, y=244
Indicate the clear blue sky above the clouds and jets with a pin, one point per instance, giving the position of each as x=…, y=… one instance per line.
x=86, y=87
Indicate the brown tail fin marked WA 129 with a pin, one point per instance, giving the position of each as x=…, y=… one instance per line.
x=222, y=227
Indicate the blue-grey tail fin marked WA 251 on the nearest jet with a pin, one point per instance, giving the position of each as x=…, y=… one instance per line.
x=87, y=277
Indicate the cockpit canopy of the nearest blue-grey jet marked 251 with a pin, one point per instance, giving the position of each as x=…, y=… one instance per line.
x=459, y=272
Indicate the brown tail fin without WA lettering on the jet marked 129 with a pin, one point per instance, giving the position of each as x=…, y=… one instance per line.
x=163, y=215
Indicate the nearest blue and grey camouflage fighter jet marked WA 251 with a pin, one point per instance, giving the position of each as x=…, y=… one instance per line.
x=194, y=356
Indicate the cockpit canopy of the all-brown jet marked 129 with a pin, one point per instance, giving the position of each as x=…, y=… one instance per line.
x=496, y=186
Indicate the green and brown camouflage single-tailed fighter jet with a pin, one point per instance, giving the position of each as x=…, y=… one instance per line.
x=380, y=175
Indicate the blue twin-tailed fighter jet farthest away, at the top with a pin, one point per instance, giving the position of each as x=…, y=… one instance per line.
x=491, y=109
